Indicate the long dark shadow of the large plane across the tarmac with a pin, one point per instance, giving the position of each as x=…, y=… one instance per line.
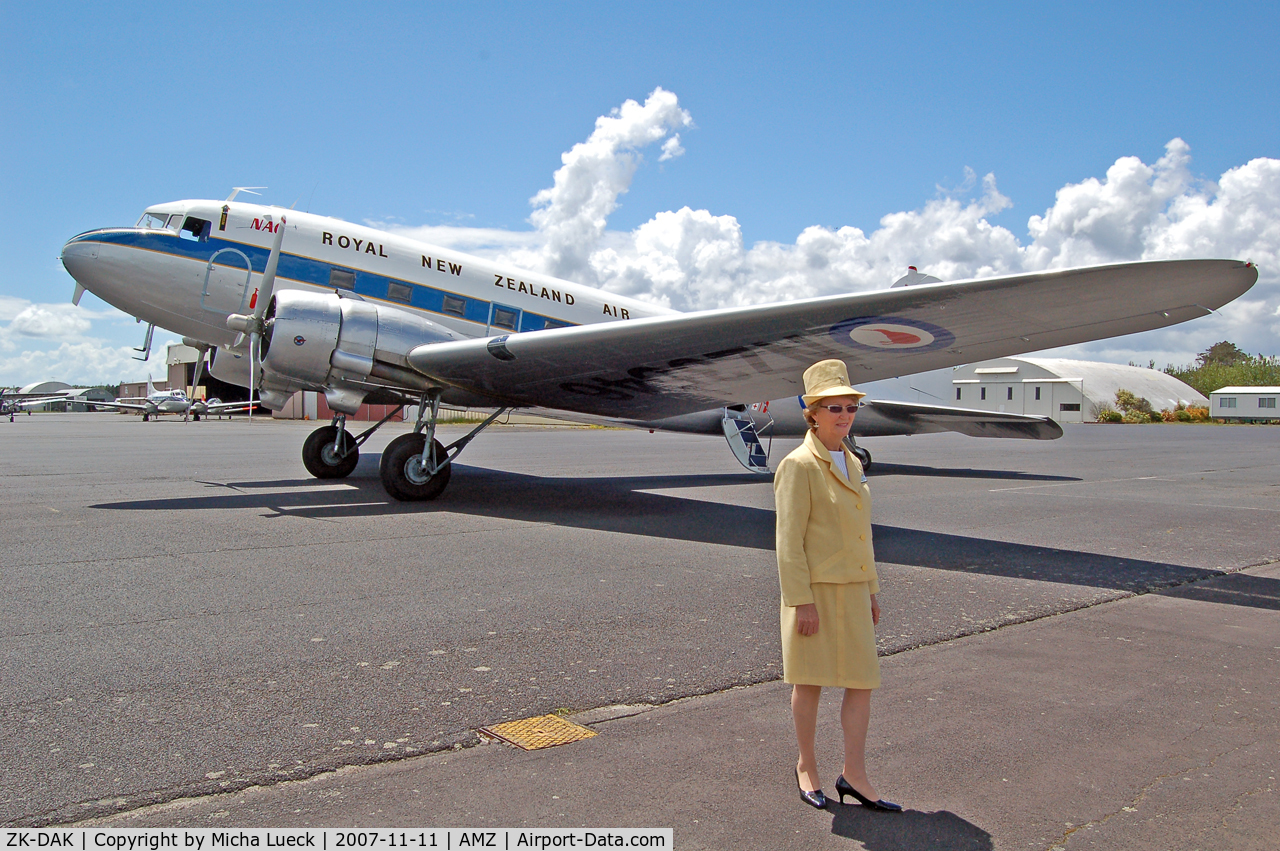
x=623, y=506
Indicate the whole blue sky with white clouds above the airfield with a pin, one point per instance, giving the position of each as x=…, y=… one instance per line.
x=697, y=155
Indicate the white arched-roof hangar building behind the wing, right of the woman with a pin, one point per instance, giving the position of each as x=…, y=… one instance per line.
x=1050, y=387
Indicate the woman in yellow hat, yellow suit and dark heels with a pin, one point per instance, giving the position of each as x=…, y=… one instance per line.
x=828, y=571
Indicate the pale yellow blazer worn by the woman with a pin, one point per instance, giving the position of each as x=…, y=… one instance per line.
x=824, y=523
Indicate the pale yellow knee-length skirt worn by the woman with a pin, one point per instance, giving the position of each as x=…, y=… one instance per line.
x=843, y=652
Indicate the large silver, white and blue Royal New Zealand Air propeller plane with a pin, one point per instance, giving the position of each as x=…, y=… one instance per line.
x=294, y=301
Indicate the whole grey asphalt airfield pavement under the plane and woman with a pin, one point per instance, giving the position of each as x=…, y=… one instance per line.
x=189, y=615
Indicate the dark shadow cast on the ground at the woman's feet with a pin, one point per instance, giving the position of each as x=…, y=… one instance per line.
x=908, y=830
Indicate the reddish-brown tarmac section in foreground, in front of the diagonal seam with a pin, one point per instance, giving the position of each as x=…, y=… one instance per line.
x=1150, y=722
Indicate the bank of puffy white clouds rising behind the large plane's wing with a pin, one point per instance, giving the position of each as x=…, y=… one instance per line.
x=694, y=260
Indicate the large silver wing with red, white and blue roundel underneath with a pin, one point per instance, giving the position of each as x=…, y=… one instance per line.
x=664, y=367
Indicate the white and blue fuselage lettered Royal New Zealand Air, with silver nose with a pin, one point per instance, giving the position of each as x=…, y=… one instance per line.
x=190, y=264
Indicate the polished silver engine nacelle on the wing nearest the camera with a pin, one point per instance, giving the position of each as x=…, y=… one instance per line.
x=319, y=341
